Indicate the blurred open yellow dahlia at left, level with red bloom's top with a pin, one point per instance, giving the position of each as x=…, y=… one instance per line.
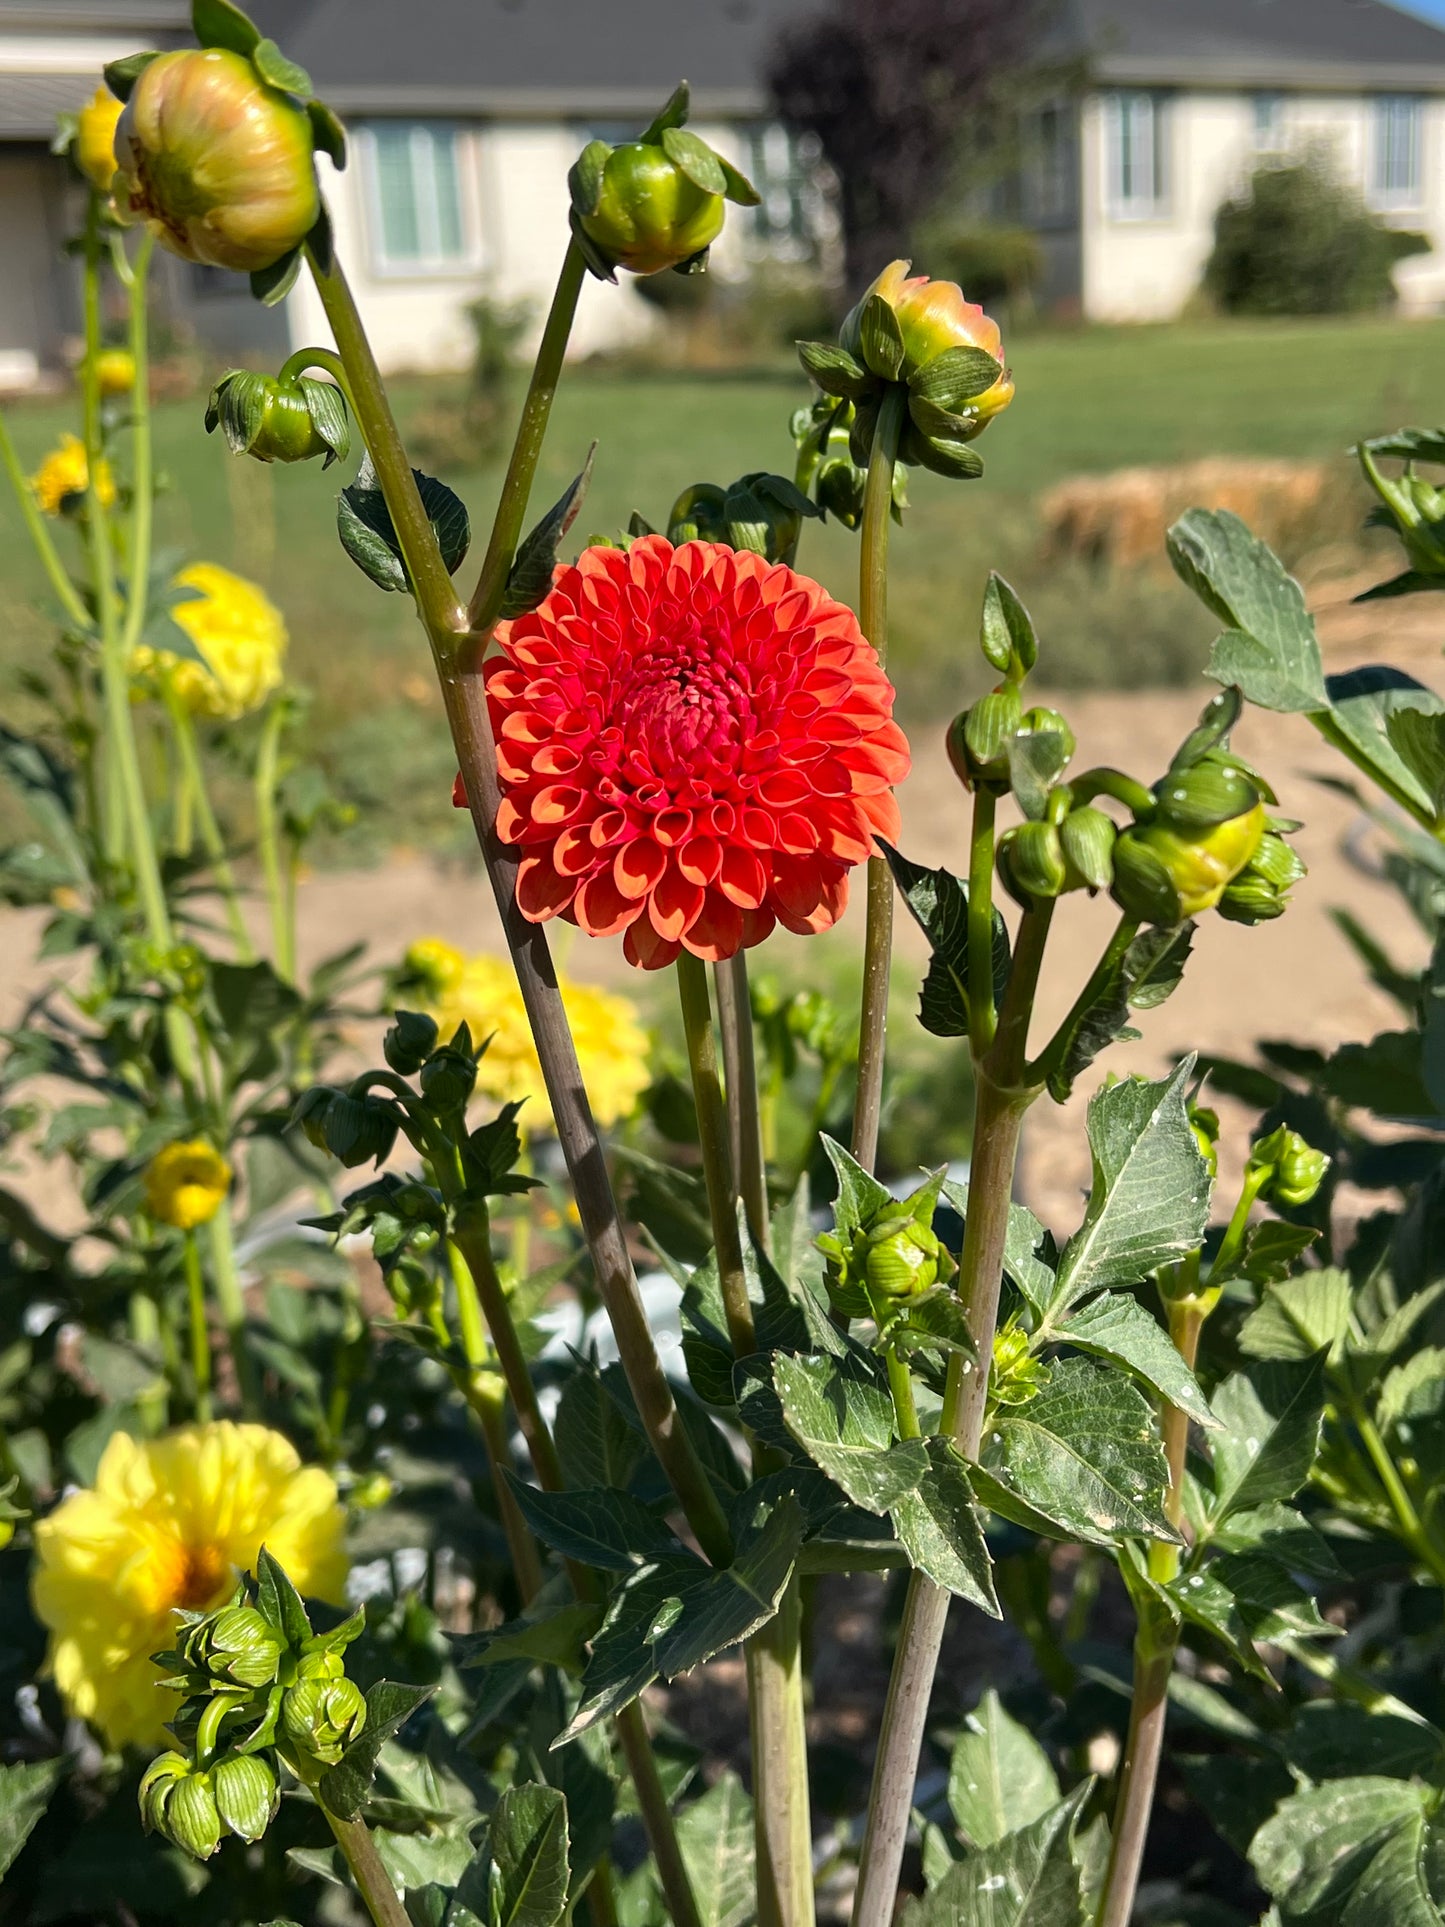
x=238, y=631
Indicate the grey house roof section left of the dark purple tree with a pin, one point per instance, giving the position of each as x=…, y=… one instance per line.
x=533, y=59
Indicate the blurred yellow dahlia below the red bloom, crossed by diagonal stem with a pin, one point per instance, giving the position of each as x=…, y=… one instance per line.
x=483, y=993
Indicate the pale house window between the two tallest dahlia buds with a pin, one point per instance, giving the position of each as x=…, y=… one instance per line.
x=423, y=217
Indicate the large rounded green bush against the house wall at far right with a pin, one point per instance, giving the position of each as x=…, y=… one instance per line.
x=1301, y=242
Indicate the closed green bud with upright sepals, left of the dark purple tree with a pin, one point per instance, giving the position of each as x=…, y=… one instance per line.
x=654, y=203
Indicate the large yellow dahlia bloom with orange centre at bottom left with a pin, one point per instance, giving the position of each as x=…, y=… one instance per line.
x=171, y=1523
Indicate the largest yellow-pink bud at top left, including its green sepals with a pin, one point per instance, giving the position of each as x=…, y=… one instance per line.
x=217, y=149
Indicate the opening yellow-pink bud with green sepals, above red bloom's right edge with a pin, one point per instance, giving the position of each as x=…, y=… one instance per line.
x=939, y=350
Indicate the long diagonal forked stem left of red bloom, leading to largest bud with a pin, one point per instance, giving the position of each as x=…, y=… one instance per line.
x=471, y=729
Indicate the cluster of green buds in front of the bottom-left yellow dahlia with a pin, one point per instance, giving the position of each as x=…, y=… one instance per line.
x=255, y=1679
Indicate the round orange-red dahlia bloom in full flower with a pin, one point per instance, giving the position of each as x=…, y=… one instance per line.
x=695, y=745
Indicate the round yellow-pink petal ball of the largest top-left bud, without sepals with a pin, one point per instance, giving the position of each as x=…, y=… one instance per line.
x=217, y=161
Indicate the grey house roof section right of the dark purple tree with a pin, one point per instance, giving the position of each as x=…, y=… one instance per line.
x=1259, y=43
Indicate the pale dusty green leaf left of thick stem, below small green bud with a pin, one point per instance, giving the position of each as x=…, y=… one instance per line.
x=841, y=1413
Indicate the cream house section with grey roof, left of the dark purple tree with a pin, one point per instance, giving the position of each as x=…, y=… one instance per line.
x=465, y=119
